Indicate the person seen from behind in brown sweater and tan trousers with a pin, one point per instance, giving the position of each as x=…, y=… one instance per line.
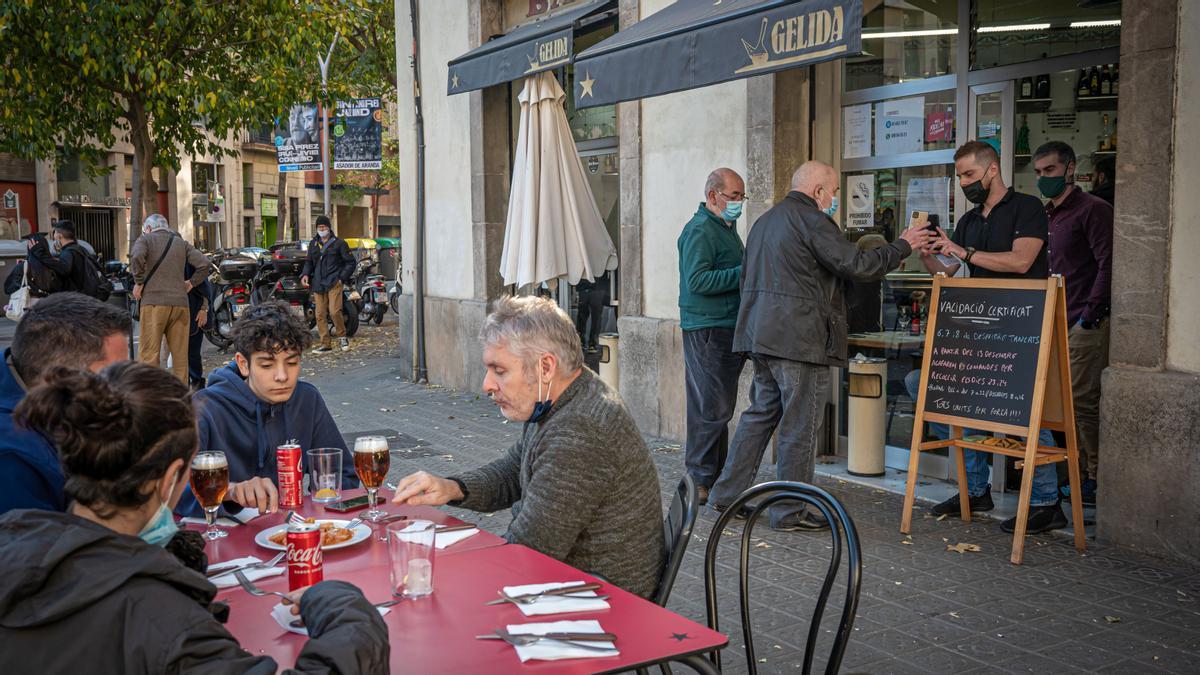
x=158, y=261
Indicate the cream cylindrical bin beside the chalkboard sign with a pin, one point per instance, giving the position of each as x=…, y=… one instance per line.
x=867, y=416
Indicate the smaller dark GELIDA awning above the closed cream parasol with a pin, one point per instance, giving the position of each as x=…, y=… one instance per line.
x=531, y=49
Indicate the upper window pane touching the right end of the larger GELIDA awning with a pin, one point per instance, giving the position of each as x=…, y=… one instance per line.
x=904, y=41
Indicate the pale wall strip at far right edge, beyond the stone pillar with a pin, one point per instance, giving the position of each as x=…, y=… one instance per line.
x=1184, y=321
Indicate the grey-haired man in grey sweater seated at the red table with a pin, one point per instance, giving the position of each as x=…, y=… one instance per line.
x=580, y=480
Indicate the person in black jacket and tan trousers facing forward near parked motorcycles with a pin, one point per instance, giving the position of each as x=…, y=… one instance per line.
x=328, y=268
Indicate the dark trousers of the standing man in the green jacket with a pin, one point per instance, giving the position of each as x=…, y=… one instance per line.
x=712, y=372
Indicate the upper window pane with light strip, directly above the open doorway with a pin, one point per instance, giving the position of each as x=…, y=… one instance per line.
x=1013, y=33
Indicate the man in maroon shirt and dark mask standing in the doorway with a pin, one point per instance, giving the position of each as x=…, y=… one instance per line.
x=1081, y=249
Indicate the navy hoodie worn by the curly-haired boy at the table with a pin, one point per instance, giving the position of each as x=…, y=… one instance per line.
x=235, y=421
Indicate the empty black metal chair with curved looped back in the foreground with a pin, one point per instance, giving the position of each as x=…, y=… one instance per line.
x=841, y=527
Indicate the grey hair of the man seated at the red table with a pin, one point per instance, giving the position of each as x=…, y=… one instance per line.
x=531, y=327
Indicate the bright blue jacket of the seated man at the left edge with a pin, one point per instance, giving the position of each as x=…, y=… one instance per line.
x=31, y=474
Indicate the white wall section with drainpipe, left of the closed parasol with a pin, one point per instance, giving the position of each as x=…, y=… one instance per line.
x=448, y=229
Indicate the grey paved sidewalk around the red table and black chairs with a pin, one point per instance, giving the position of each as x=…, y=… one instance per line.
x=923, y=608
